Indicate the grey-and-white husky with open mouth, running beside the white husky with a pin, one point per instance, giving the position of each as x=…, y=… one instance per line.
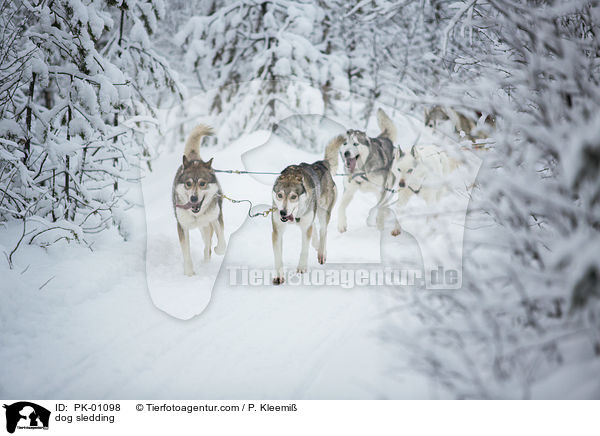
x=367, y=161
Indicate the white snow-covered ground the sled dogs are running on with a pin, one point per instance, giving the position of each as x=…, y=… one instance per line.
x=122, y=321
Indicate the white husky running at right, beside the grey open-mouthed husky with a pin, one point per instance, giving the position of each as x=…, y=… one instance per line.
x=420, y=172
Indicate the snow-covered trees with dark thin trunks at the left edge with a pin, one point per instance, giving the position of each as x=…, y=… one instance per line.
x=67, y=133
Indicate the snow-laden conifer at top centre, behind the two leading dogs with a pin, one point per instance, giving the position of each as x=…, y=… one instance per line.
x=277, y=45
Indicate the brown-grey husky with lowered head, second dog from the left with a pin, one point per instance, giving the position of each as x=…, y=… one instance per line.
x=302, y=193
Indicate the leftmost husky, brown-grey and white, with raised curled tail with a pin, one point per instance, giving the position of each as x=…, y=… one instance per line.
x=197, y=200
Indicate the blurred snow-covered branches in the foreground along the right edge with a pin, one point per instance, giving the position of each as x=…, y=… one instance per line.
x=530, y=305
